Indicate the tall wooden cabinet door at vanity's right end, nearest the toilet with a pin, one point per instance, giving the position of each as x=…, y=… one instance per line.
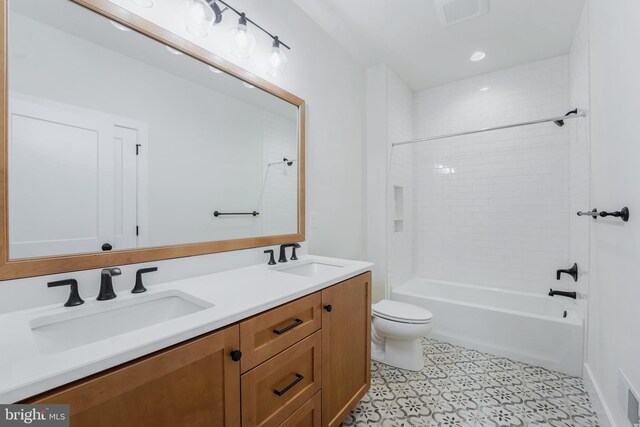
x=346, y=347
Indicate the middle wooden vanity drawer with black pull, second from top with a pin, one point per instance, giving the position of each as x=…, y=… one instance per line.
x=274, y=390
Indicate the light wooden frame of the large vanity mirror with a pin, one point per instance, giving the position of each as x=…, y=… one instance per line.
x=19, y=268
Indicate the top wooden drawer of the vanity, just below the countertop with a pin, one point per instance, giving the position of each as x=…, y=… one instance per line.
x=266, y=335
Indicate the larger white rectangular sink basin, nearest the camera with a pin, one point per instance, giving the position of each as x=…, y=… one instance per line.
x=83, y=326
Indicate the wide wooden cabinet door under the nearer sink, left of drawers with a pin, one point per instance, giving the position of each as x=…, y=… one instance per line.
x=191, y=384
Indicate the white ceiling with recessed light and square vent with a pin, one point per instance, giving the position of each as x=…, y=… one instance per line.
x=407, y=35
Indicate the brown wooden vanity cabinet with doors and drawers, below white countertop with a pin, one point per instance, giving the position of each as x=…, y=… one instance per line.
x=304, y=364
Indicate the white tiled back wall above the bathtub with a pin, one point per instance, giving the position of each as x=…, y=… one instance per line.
x=492, y=208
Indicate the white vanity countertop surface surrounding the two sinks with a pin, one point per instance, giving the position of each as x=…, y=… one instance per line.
x=236, y=294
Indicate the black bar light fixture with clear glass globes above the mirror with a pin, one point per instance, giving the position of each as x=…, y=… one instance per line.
x=201, y=15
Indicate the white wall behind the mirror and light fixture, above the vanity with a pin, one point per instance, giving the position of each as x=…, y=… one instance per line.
x=332, y=84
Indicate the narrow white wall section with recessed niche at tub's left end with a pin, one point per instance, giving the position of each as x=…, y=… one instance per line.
x=389, y=119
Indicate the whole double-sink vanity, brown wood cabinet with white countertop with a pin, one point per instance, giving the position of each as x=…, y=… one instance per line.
x=256, y=346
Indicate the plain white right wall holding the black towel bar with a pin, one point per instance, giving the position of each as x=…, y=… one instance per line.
x=614, y=317
